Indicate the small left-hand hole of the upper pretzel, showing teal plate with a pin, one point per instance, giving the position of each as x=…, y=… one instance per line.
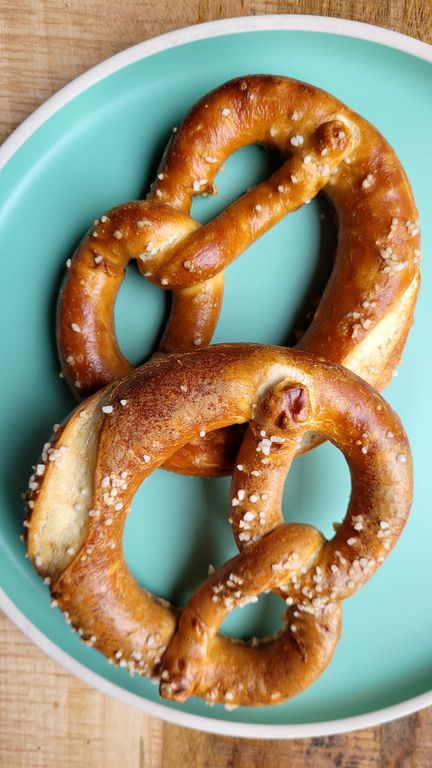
x=140, y=315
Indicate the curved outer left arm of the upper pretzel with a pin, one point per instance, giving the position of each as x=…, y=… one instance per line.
x=86, y=337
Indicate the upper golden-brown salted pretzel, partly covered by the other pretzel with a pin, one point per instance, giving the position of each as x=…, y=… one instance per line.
x=366, y=310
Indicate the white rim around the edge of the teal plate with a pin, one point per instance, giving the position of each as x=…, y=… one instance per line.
x=292, y=22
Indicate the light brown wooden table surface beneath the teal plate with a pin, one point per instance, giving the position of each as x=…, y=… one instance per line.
x=47, y=717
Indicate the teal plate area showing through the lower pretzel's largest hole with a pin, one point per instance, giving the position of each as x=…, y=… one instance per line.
x=176, y=527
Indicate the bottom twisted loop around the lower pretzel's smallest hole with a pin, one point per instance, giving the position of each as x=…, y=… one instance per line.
x=189, y=664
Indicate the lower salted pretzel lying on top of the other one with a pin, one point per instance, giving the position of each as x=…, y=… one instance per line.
x=82, y=489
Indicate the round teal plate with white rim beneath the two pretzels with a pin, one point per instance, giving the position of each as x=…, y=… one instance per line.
x=96, y=144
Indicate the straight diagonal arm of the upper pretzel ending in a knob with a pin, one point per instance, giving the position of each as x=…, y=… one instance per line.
x=214, y=246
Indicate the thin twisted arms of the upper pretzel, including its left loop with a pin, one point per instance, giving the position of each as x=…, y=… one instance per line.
x=175, y=253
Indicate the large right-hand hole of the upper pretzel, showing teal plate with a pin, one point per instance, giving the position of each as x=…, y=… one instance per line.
x=282, y=277
